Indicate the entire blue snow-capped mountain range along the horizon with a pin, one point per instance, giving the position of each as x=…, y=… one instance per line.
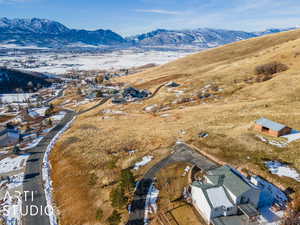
x=52, y=34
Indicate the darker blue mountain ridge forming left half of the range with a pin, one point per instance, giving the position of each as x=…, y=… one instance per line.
x=47, y=33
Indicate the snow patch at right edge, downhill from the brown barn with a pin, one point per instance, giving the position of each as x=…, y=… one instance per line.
x=282, y=169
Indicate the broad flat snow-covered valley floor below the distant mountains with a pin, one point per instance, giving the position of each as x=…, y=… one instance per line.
x=61, y=63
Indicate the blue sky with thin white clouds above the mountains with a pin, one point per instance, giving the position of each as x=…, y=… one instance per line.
x=129, y=17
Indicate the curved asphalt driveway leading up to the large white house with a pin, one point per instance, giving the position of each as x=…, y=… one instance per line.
x=182, y=153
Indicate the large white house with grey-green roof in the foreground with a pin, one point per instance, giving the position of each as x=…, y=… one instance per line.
x=225, y=197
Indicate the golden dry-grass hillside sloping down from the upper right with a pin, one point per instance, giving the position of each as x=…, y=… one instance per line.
x=220, y=93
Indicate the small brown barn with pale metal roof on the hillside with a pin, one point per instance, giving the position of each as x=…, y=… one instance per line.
x=271, y=128
